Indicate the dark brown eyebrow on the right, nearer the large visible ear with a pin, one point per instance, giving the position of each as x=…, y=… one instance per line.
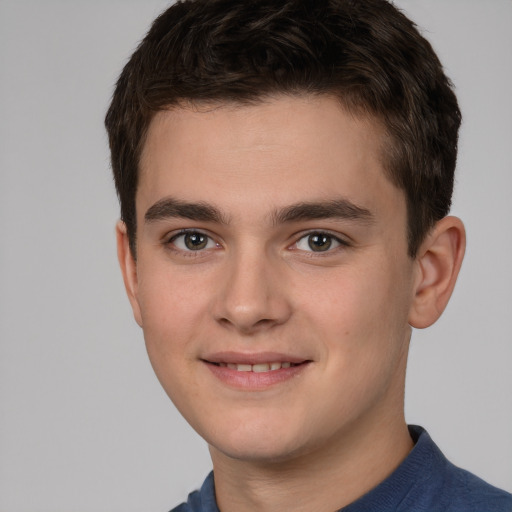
x=334, y=209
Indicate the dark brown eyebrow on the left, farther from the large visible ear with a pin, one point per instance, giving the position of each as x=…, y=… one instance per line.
x=169, y=207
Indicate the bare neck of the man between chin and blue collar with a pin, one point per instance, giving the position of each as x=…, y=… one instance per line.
x=323, y=480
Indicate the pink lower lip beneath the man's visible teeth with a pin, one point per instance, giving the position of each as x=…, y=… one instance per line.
x=255, y=380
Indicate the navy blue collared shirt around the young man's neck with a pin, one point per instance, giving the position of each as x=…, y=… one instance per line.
x=424, y=482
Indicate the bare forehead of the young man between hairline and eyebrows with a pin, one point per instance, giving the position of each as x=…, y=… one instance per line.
x=280, y=151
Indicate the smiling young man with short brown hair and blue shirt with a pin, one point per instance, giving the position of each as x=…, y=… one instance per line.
x=285, y=171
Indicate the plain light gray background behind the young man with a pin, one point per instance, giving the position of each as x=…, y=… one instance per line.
x=84, y=425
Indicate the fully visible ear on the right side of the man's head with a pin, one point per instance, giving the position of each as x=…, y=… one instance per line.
x=438, y=263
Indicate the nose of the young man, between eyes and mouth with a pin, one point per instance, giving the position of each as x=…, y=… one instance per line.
x=253, y=297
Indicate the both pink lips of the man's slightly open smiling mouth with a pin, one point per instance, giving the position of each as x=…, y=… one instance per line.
x=254, y=381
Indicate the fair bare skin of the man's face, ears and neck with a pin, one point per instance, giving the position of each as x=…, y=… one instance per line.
x=334, y=427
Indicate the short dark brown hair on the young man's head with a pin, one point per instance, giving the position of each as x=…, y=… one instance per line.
x=364, y=52
